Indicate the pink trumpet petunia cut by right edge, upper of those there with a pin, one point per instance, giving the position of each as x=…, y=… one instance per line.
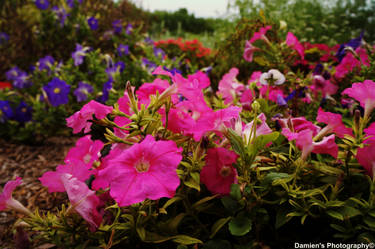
x=364, y=93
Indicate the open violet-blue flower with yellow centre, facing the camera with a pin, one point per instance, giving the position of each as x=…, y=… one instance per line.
x=57, y=91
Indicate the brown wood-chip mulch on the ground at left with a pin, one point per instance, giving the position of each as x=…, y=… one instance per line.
x=30, y=162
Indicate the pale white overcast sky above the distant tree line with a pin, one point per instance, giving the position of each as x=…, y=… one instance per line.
x=200, y=8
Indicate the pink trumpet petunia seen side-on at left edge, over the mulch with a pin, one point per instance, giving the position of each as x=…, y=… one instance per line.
x=7, y=201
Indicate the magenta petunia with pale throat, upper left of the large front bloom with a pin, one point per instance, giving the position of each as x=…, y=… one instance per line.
x=85, y=150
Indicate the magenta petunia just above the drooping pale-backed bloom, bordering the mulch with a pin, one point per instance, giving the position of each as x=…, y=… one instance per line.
x=76, y=168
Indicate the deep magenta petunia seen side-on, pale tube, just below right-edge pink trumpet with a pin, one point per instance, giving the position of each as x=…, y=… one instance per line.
x=334, y=124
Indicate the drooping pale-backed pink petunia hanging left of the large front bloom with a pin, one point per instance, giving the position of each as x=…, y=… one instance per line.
x=82, y=199
